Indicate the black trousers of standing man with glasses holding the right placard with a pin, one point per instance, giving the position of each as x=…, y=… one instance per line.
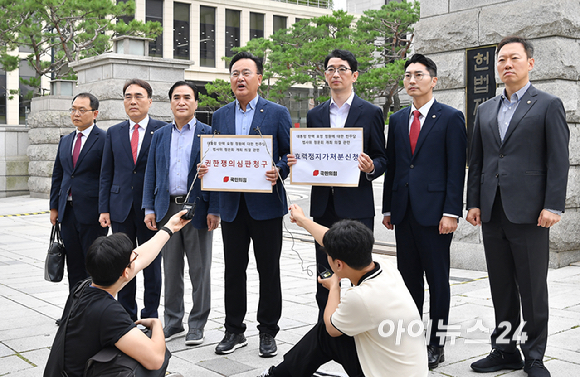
x=328, y=218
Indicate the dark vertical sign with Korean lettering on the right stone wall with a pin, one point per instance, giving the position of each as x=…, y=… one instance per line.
x=480, y=76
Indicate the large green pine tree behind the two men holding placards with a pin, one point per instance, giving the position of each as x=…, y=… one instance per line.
x=380, y=40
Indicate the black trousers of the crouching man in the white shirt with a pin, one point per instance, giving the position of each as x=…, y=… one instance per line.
x=317, y=348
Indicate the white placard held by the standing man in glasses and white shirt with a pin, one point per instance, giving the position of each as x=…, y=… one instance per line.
x=326, y=156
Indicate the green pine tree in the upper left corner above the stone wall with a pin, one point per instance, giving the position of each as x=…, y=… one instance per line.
x=58, y=32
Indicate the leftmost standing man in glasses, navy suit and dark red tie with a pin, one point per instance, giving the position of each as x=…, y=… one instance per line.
x=74, y=193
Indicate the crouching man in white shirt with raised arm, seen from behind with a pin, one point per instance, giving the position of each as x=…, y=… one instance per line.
x=362, y=329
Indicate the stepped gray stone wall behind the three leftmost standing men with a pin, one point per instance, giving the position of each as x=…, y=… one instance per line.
x=103, y=76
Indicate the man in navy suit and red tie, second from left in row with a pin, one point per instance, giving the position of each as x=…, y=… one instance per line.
x=121, y=189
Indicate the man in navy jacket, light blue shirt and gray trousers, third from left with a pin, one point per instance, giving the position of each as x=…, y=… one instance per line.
x=171, y=170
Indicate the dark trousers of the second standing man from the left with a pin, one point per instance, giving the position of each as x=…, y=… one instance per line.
x=134, y=227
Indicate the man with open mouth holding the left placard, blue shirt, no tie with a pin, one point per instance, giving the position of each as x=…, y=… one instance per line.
x=253, y=216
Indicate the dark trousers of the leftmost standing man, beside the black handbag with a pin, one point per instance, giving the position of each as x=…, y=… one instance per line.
x=77, y=239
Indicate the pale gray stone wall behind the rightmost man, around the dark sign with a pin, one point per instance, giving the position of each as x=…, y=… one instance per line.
x=448, y=27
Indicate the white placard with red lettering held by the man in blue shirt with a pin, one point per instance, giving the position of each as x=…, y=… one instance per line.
x=236, y=162
